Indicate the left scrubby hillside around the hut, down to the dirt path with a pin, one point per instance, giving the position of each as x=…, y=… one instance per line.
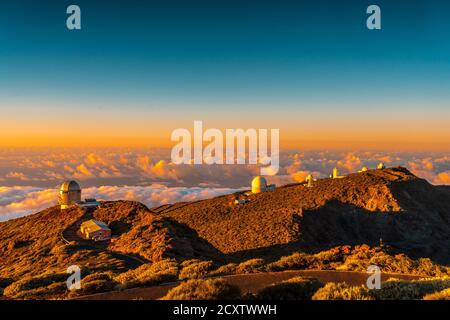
x=34, y=251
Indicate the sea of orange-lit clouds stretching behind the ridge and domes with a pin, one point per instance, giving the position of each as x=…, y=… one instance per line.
x=29, y=178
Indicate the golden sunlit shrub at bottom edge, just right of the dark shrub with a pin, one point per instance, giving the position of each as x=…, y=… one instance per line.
x=342, y=291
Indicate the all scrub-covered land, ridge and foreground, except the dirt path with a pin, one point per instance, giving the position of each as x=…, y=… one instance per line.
x=192, y=241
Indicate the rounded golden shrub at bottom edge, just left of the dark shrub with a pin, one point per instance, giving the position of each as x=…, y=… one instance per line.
x=200, y=289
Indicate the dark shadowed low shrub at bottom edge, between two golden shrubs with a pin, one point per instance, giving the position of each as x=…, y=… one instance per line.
x=298, y=288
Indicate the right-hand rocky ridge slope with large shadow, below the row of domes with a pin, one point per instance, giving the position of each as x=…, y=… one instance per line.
x=392, y=204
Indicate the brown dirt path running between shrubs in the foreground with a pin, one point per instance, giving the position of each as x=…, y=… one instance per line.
x=247, y=283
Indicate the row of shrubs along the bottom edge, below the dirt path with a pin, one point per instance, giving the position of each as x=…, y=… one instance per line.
x=301, y=288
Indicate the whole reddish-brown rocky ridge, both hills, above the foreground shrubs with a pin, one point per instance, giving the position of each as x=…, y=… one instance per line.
x=408, y=214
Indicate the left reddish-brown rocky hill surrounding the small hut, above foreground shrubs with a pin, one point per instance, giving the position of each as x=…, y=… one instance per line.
x=47, y=241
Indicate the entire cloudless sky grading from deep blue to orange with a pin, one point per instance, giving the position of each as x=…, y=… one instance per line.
x=139, y=69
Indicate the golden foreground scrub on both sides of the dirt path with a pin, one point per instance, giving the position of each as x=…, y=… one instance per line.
x=52, y=285
